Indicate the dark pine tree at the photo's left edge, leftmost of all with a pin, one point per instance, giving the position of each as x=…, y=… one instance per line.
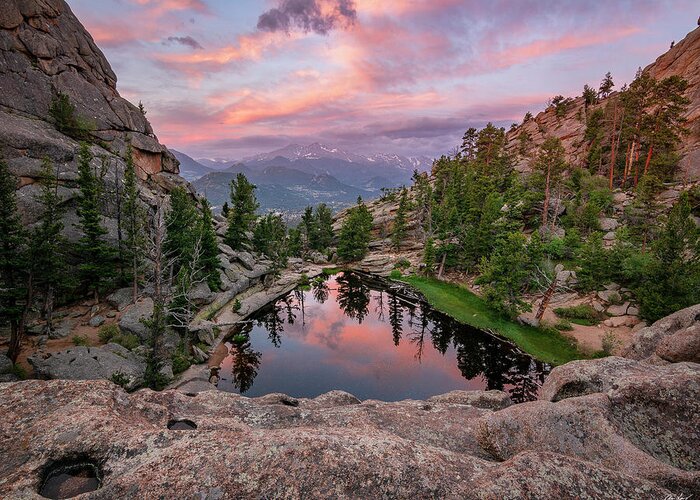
x=12, y=260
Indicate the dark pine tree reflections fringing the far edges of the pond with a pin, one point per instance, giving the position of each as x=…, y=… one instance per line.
x=478, y=355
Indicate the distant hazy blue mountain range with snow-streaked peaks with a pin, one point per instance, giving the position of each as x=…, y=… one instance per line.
x=293, y=177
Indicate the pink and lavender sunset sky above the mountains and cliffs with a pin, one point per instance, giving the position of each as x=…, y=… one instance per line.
x=231, y=78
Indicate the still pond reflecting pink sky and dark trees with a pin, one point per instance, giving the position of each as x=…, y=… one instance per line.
x=372, y=338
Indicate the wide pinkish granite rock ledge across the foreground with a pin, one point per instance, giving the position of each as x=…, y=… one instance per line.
x=639, y=439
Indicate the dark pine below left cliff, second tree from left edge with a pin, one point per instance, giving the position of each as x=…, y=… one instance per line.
x=48, y=247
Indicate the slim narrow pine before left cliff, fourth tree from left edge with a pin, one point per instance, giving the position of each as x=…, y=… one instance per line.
x=134, y=216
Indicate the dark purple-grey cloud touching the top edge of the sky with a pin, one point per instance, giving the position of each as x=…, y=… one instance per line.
x=319, y=16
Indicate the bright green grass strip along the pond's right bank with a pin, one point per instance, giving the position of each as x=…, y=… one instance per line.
x=546, y=345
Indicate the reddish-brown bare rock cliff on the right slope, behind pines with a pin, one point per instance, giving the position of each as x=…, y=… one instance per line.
x=683, y=59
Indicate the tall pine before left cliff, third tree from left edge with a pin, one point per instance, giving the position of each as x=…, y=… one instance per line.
x=95, y=254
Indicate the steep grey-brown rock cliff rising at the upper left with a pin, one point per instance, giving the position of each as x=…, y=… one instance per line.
x=44, y=52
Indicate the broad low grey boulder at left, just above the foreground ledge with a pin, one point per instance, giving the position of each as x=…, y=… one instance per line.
x=91, y=363
